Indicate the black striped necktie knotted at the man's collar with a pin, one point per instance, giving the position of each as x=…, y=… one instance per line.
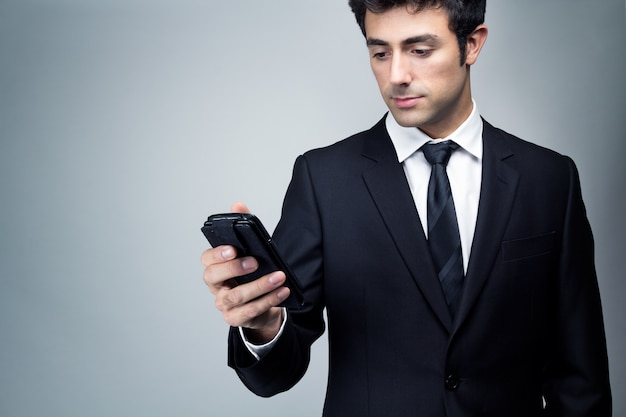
x=443, y=231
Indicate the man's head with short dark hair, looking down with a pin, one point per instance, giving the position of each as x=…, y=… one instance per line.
x=414, y=53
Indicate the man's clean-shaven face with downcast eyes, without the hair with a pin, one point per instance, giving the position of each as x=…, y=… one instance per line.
x=416, y=61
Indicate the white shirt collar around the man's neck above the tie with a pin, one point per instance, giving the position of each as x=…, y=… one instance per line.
x=407, y=140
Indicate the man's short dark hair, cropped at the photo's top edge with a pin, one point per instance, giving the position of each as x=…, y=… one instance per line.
x=463, y=15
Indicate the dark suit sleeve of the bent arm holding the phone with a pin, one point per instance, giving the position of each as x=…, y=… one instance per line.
x=298, y=237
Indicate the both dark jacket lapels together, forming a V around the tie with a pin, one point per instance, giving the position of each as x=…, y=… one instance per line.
x=396, y=207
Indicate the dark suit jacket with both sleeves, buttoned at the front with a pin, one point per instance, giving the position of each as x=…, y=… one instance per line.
x=530, y=320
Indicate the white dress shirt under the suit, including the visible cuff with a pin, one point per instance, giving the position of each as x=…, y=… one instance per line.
x=464, y=172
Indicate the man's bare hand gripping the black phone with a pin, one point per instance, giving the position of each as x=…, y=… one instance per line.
x=253, y=305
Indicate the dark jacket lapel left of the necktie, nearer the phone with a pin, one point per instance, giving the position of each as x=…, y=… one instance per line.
x=387, y=184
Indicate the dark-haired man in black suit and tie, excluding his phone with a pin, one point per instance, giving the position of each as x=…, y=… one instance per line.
x=508, y=324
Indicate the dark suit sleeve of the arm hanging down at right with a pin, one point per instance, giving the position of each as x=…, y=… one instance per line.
x=577, y=379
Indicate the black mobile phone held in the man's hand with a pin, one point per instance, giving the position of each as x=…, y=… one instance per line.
x=248, y=236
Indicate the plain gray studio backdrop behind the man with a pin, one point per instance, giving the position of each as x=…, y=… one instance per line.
x=124, y=123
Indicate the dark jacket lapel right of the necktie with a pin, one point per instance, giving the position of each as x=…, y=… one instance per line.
x=499, y=184
